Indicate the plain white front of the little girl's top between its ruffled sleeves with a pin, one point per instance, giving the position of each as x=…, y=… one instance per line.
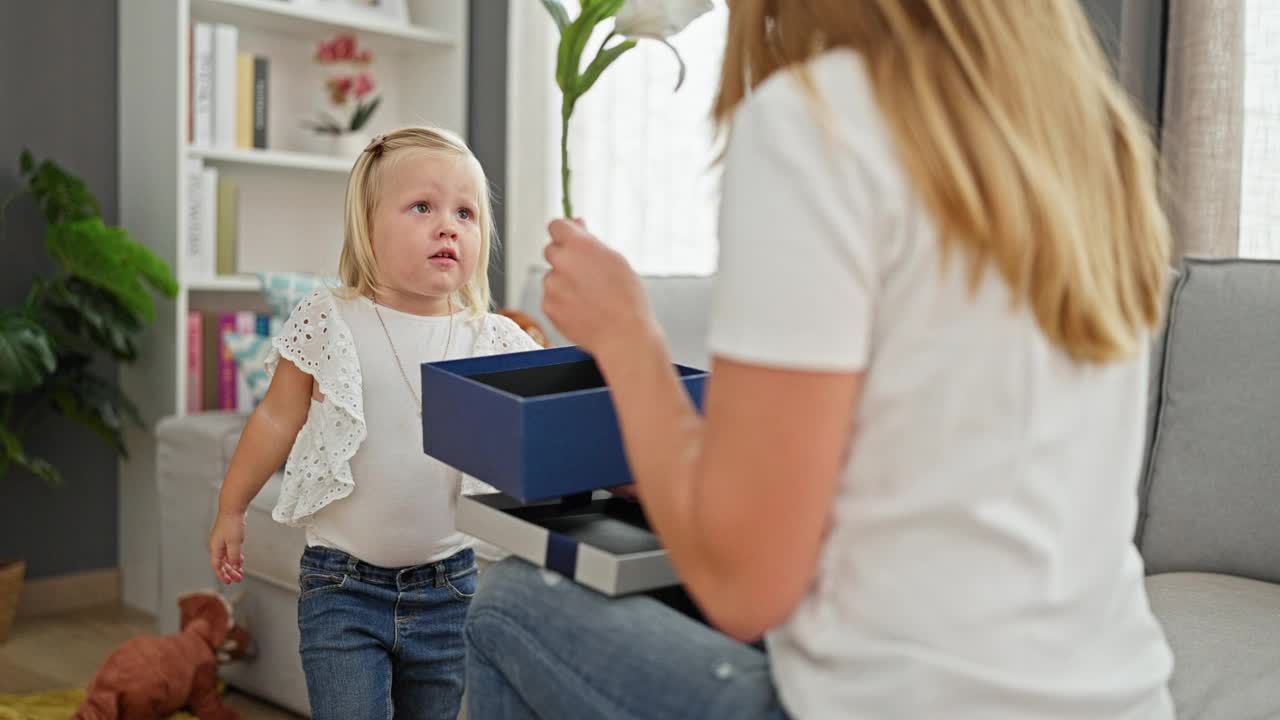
x=400, y=512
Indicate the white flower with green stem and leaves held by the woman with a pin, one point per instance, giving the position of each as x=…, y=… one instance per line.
x=655, y=20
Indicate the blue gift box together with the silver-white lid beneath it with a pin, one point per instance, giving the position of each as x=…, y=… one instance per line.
x=541, y=427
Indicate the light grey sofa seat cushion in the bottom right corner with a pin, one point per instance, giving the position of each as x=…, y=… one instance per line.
x=1226, y=636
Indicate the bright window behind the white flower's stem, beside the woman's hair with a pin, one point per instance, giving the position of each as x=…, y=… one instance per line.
x=642, y=154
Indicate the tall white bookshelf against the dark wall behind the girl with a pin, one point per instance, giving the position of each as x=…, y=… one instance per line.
x=290, y=207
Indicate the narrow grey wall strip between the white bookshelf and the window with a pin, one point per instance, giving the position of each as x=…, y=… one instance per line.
x=487, y=115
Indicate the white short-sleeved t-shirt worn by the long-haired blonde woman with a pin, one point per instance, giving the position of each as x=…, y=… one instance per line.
x=980, y=562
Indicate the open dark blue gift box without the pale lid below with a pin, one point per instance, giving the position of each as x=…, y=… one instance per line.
x=534, y=425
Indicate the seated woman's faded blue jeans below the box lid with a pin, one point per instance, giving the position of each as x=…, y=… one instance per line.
x=541, y=646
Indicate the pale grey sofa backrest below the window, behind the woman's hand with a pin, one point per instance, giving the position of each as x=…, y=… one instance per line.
x=680, y=303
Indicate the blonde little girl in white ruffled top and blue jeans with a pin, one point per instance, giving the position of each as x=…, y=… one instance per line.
x=386, y=578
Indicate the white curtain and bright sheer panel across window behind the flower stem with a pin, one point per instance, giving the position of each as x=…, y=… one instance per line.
x=642, y=154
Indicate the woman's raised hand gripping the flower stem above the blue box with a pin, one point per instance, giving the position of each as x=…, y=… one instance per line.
x=592, y=294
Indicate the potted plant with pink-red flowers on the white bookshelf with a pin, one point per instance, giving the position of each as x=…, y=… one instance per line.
x=350, y=93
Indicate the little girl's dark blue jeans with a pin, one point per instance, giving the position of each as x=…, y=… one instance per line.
x=383, y=644
